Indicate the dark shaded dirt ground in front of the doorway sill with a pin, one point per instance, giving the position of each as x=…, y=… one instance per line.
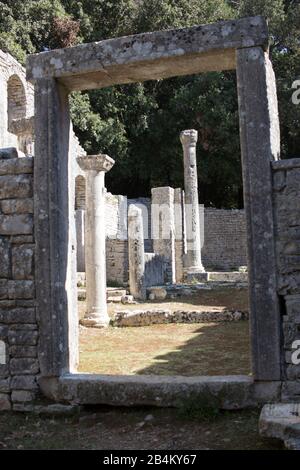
x=133, y=430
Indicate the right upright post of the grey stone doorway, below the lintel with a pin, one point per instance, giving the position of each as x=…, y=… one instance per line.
x=260, y=144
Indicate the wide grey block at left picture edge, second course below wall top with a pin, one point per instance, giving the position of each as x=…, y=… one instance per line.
x=15, y=186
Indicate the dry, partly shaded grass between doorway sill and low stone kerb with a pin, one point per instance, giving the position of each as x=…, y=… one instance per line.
x=171, y=349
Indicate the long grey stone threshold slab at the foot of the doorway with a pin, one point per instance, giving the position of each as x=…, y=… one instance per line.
x=224, y=392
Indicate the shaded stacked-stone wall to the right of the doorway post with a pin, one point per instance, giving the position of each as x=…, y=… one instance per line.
x=286, y=187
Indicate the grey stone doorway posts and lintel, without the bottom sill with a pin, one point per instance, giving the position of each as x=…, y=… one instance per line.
x=227, y=45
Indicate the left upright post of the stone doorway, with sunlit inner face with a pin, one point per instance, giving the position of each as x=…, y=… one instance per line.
x=54, y=201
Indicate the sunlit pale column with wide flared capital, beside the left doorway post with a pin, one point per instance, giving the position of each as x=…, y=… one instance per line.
x=95, y=167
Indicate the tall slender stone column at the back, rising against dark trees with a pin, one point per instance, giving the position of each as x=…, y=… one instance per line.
x=193, y=263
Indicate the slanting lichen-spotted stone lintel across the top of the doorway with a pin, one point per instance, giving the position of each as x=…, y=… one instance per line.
x=146, y=56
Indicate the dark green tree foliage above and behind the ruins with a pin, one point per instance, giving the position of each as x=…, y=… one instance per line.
x=139, y=124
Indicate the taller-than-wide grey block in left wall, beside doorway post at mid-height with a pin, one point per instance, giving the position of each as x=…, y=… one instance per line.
x=23, y=262
